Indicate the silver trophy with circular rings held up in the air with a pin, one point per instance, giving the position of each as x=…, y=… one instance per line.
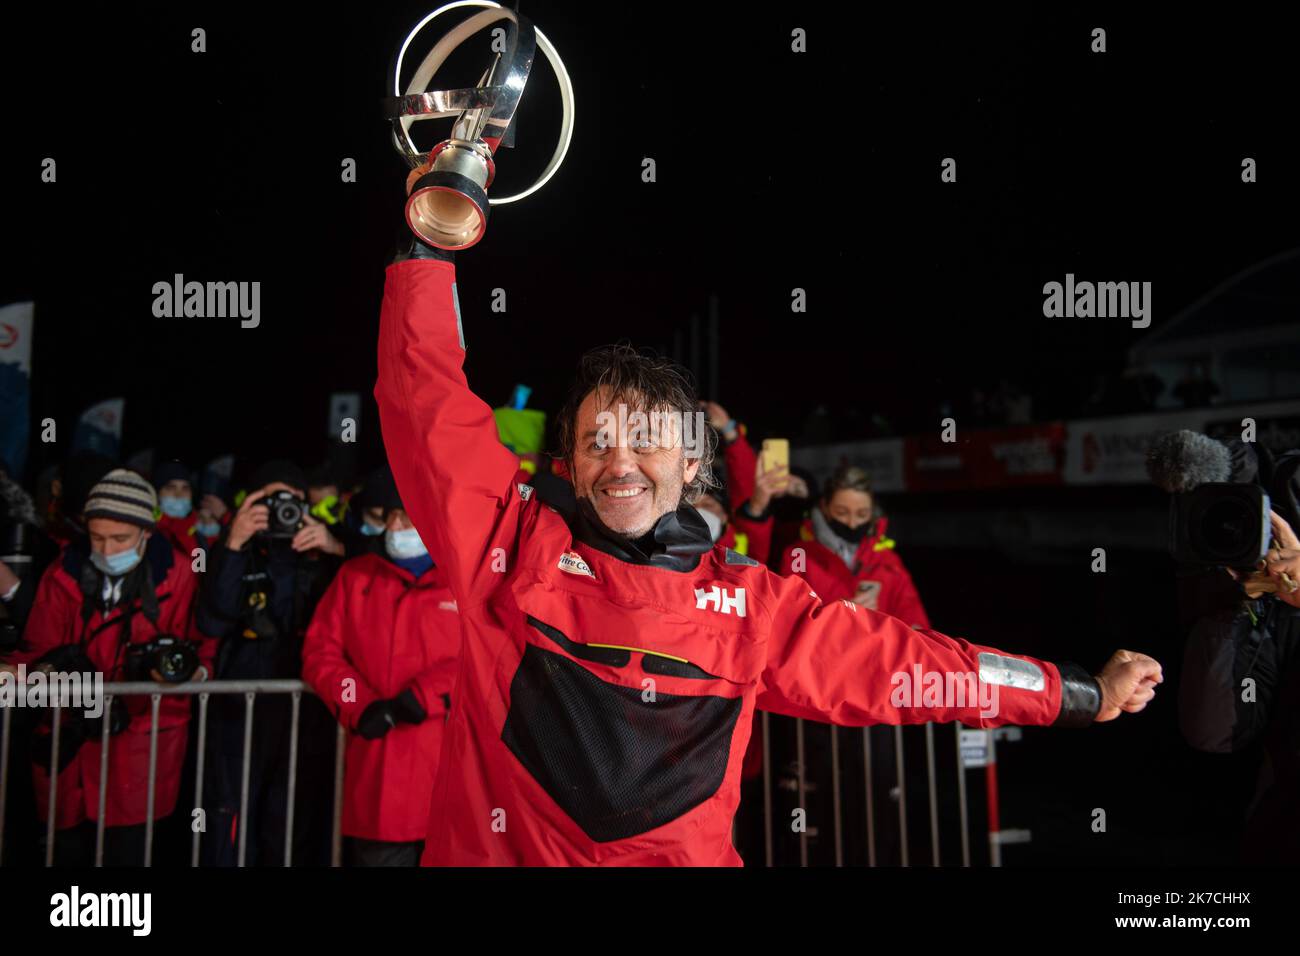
x=449, y=205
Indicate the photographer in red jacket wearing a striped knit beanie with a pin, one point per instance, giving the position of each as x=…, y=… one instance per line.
x=105, y=607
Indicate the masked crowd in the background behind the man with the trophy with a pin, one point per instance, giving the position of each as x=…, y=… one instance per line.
x=310, y=576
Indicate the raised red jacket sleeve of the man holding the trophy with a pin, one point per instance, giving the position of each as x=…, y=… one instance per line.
x=456, y=478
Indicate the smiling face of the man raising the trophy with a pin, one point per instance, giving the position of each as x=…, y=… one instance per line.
x=631, y=475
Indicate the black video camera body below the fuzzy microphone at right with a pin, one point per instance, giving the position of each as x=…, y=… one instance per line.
x=1221, y=524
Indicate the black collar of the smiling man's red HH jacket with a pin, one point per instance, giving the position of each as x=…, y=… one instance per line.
x=675, y=543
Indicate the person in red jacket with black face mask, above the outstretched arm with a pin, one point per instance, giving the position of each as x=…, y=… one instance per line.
x=844, y=553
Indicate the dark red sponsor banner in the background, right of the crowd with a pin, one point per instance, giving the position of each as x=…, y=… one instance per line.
x=1003, y=458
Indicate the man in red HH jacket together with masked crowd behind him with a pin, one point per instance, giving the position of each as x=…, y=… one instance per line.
x=538, y=661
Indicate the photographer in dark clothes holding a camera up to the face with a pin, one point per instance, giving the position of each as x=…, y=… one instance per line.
x=263, y=583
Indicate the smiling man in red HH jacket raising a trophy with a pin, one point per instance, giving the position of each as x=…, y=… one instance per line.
x=613, y=657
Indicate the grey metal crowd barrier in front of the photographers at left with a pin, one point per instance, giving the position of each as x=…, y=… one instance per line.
x=203, y=691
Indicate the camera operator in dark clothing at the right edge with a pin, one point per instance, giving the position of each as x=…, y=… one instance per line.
x=1241, y=689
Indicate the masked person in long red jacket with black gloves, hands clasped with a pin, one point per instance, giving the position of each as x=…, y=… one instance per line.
x=382, y=654
